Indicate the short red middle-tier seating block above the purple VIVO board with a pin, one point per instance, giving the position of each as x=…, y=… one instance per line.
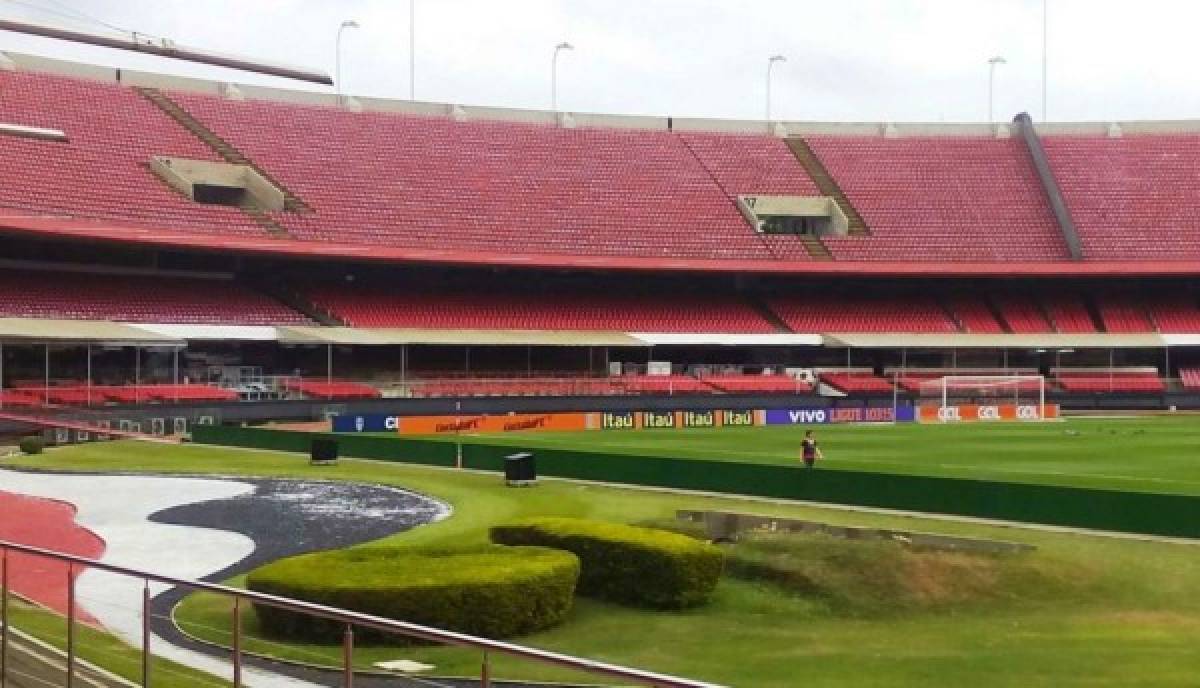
x=848, y=314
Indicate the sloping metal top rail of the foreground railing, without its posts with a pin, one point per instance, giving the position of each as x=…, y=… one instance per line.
x=376, y=623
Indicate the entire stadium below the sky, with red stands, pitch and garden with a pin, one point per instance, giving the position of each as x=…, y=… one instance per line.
x=994, y=331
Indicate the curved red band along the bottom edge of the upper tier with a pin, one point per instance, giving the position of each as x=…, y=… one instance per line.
x=71, y=229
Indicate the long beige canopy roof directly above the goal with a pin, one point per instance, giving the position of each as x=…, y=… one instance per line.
x=1016, y=342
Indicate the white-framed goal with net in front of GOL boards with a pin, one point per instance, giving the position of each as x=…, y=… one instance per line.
x=986, y=397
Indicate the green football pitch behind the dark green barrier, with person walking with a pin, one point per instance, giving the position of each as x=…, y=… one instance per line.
x=1154, y=454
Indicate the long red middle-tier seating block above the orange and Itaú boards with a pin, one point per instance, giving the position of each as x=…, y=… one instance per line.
x=553, y=310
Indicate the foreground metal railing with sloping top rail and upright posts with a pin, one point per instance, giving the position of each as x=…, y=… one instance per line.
x=351, y=620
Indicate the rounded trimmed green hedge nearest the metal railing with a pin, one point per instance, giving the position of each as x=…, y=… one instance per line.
x=490, y=591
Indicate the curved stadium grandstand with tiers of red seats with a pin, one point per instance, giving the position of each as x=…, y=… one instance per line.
x=212, y=246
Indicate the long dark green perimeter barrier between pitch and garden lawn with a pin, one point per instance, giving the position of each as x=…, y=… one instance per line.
x=1148, y=513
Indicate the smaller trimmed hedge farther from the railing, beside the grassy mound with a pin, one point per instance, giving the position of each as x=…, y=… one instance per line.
x=628, y=565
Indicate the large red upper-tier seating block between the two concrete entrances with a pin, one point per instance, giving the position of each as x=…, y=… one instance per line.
x=487, y=187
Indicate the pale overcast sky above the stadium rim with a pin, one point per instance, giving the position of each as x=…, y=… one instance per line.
x=879, y=61
